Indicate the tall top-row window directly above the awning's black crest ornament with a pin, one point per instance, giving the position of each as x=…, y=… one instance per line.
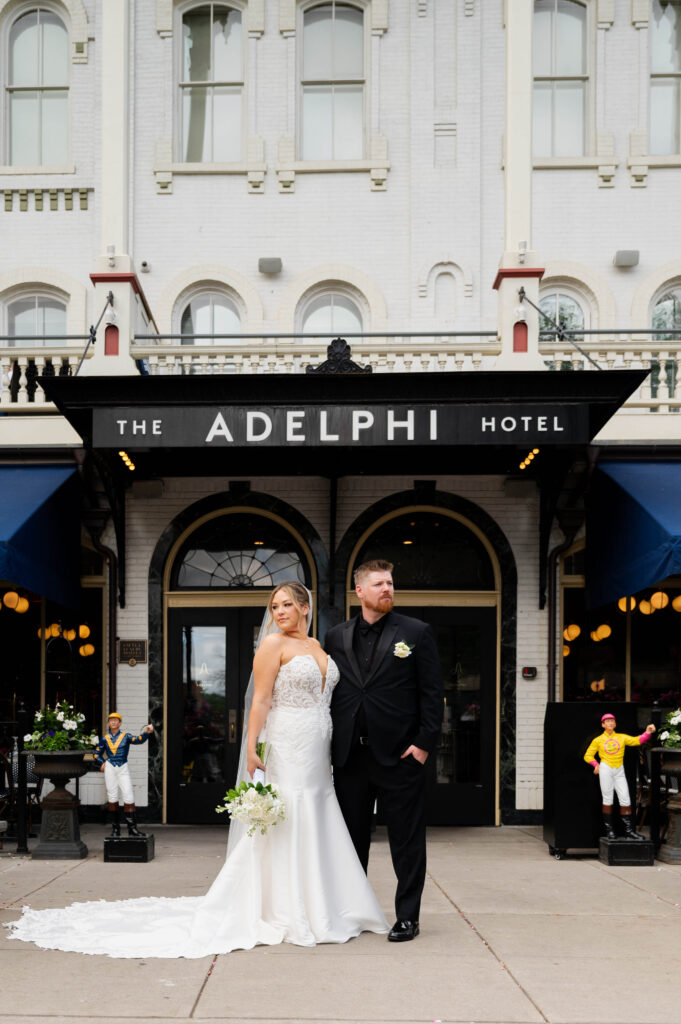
x=333, y=82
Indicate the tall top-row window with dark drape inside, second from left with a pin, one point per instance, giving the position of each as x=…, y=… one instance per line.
x=211, y=84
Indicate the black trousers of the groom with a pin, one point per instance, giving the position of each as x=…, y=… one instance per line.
x=401, y=793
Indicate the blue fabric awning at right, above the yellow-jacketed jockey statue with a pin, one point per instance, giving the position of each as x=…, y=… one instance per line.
x=633, y=528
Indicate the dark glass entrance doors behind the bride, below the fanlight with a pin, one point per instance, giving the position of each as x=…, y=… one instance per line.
x=210, y=656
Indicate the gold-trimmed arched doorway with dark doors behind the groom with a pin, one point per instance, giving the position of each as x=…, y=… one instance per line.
x=447, y=574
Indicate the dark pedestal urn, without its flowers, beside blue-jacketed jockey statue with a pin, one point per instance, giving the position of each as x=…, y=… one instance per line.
x=60, y=830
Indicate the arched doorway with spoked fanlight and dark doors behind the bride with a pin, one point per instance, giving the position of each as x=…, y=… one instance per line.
x=218, y=579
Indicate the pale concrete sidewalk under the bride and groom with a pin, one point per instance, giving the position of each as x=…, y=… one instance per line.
x=509, y=934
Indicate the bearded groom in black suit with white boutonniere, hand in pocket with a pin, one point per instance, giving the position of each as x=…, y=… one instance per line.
x=387, y=710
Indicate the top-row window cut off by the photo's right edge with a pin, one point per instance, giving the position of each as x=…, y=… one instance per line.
x=665, y=77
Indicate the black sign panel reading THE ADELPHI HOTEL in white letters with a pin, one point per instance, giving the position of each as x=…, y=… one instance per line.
x=234, y=426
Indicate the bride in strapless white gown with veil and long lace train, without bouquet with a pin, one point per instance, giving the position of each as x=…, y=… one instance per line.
x=300, y=883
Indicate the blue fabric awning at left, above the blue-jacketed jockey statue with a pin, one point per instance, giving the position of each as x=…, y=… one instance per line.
x=40, y=531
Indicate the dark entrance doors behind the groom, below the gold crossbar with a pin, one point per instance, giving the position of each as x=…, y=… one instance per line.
x=461, y=787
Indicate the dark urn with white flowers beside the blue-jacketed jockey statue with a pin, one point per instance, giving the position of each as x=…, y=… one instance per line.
x=59, y=744
